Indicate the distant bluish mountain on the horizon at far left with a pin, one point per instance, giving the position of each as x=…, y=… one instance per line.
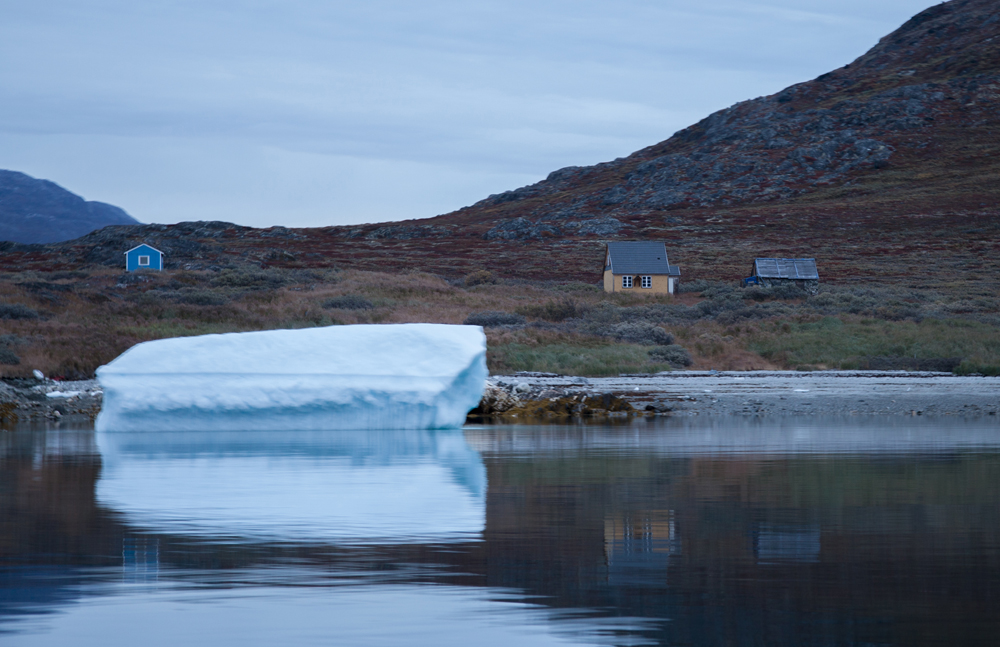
x=39, y=211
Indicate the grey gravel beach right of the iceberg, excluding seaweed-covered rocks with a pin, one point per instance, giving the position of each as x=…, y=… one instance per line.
x=779, y=393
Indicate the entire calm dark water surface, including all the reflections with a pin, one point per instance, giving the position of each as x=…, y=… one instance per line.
x=838, y=532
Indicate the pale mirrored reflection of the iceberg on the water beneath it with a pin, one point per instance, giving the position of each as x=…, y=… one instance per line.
x=384, y=486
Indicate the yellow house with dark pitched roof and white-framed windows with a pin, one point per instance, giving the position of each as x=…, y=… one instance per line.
x=639, y=266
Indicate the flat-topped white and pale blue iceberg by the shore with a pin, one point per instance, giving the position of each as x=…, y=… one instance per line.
x=405, y=376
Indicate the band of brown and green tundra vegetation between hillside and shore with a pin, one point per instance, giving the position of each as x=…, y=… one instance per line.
x=68, y=323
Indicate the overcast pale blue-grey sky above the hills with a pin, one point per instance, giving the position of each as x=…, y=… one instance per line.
x=319, y=112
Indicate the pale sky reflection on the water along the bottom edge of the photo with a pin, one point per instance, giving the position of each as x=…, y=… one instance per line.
x=376, y=615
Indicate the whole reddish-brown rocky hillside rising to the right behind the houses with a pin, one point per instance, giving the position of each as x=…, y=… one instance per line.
x=885, y=171
